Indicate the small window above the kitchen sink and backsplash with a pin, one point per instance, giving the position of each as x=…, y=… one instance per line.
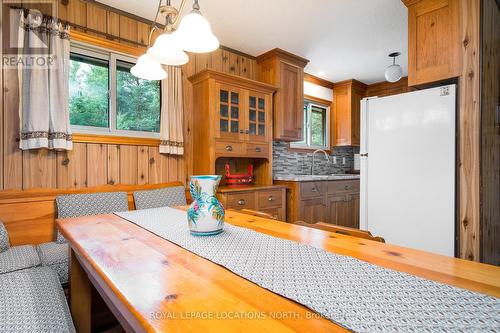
x=316, y=127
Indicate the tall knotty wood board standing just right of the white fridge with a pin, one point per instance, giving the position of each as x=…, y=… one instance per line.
x=469, y=129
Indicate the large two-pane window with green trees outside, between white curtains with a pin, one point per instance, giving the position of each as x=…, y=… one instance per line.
x=104, y=98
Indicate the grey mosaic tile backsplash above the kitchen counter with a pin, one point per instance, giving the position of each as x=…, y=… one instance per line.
x=287, y=162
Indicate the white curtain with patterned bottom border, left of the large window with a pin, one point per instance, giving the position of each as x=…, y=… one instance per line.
x=43, y=83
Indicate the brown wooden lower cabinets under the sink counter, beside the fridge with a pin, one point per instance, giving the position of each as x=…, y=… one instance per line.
x=330, y=201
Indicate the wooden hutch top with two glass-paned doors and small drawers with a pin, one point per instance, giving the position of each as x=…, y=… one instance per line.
x=232, y=118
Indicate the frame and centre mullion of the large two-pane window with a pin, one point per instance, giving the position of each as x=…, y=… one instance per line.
x=111, y=56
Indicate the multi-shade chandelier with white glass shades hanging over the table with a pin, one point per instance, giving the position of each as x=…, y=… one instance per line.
x=195, y=36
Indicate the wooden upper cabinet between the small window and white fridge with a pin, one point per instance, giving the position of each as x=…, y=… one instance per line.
x=347, y=97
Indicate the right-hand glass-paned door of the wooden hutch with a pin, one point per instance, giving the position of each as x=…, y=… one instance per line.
x=258, y=116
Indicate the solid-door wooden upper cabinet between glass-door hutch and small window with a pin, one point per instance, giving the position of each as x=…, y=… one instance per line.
x=286, y=71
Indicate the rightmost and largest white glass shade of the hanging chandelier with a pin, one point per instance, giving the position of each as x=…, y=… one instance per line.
x=195, y=35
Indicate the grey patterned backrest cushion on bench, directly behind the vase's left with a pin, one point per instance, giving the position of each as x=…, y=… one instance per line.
x=164, y=197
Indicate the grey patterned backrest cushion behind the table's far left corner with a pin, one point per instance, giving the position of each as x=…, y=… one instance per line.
x=76, y=205
